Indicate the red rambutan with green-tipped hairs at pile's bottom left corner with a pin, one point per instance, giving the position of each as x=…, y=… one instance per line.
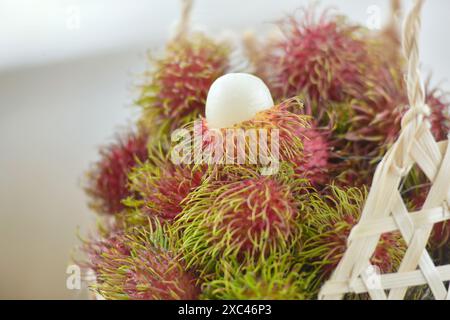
x=139, y=264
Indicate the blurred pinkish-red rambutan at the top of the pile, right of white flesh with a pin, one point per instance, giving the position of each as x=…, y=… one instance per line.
x=321, y=57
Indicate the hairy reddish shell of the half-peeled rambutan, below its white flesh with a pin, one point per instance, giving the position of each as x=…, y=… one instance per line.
x=297, y=142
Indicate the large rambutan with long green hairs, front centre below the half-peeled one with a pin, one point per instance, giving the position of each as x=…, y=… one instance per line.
x=246, y=217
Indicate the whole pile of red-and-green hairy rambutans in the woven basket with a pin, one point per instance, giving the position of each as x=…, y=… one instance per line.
x=219, y=230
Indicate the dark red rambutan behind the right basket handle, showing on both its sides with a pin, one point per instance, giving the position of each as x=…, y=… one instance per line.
x=376, y=120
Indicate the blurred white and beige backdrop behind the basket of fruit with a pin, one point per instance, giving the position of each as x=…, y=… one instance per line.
x=69, y=72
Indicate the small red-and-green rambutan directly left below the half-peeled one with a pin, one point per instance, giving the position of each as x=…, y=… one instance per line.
x=162, y=186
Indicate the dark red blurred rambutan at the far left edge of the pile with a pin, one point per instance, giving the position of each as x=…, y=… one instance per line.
x=108, y=179
